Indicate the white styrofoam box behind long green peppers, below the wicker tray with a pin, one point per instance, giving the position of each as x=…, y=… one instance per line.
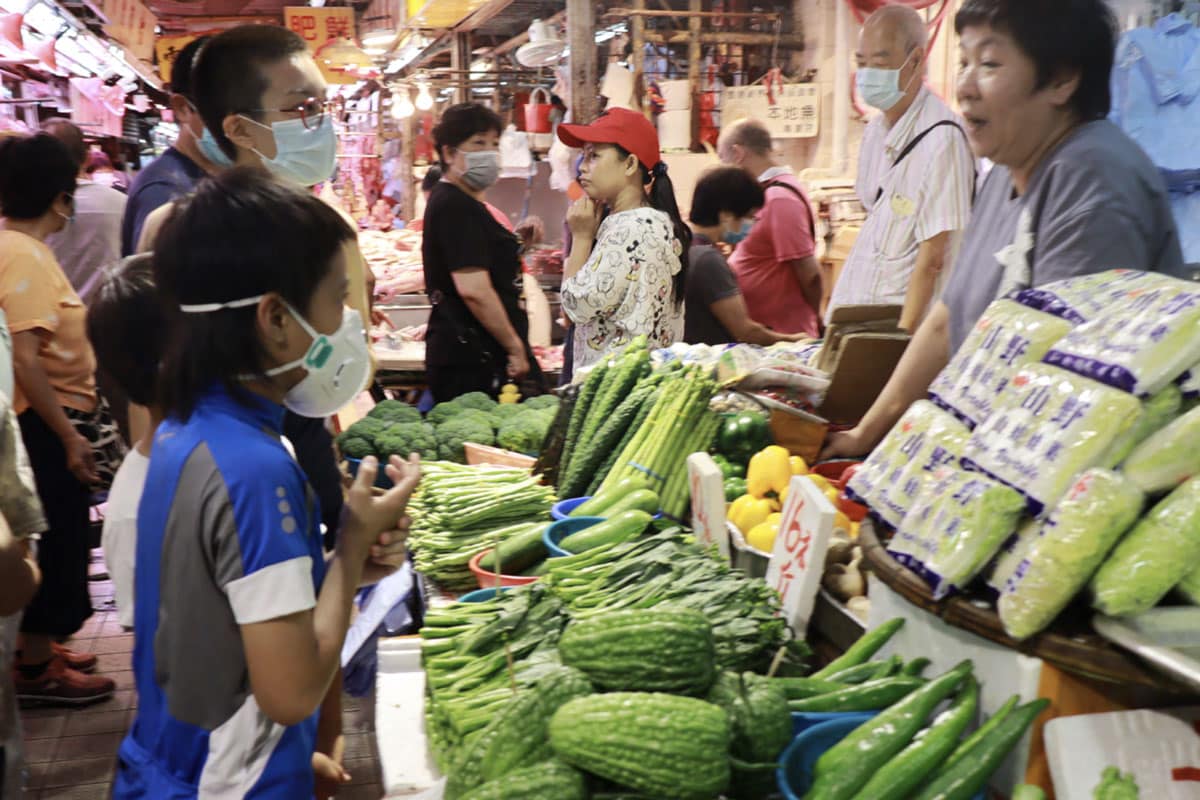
x=1001, y=672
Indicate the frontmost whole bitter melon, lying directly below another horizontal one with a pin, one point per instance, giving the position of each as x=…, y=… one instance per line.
x=664, y=747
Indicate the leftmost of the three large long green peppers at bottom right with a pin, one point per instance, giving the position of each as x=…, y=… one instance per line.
x=847, y=767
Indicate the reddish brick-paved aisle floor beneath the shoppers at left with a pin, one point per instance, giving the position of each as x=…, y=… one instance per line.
x=71, y=754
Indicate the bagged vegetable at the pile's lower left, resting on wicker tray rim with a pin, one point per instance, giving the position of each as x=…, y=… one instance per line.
x=957, y=526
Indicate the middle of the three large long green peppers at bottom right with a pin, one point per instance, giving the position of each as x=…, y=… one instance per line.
x=907, y=772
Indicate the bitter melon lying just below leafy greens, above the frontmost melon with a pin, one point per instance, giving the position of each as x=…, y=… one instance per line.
x=649, y=651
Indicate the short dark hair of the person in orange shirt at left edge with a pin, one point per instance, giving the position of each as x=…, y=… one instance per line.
x=34, y=172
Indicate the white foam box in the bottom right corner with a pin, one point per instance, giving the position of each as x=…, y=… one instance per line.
x=1148, y=744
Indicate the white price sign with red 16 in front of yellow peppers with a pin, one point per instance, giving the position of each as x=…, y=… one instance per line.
x=797, y=562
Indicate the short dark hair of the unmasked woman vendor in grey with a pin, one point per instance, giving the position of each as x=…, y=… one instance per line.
x=1063, y=35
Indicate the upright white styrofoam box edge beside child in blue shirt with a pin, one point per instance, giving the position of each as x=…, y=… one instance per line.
x=409, y=769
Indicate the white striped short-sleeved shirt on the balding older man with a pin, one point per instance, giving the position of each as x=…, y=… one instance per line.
x=926, y=195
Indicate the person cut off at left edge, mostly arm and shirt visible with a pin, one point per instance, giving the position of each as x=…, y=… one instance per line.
x=21, y=521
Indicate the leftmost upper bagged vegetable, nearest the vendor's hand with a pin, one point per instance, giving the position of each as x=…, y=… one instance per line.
x=891, y=479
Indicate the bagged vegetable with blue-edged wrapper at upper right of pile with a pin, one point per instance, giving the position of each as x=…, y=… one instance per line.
x=1142, y=342
